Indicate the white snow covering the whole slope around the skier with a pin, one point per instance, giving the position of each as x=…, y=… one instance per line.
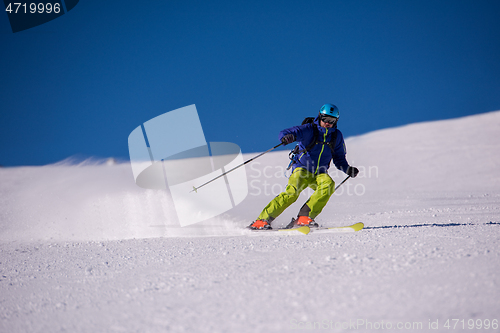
x=83, y=249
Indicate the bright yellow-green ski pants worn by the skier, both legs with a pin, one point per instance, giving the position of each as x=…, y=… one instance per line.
x=322, y=184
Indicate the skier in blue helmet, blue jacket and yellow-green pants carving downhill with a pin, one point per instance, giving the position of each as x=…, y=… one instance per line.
x=319, y=142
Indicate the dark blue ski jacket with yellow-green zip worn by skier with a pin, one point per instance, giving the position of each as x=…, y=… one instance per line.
x=317, y=160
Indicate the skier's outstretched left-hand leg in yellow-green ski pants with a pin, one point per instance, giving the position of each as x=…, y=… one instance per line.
x=298, y=181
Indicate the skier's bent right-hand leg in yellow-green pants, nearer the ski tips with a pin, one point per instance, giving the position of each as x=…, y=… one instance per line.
x=323, y=187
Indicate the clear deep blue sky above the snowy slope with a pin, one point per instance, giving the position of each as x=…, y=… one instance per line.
x=78, y=85
